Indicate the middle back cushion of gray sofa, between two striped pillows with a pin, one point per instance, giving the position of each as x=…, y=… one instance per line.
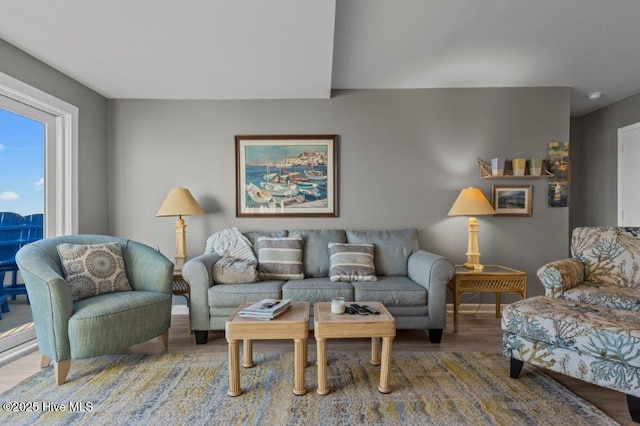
x=315, y=252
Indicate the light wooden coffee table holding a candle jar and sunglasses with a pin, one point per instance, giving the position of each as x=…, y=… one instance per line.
x=342, y=326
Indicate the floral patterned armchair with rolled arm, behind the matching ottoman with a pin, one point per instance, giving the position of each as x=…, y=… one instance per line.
x=604, y=269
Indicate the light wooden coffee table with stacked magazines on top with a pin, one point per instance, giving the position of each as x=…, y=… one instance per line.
x=293, y=324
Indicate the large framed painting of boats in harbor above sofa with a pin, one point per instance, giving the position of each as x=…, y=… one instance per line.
x=286, y=175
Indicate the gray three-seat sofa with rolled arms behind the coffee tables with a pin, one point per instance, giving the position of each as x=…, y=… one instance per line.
x=411, y=283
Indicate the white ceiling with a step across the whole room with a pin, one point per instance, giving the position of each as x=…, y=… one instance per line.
x=278, y=49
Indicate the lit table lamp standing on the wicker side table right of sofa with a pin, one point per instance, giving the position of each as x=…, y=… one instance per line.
x=472, y=202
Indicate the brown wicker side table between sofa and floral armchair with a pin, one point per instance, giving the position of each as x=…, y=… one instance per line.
x=492, y=279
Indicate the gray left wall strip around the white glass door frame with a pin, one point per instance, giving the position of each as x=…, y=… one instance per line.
x=92, y=138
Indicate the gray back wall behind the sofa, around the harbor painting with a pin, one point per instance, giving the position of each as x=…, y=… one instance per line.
x=404, y=156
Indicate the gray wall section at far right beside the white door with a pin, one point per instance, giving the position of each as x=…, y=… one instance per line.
x=597, y=202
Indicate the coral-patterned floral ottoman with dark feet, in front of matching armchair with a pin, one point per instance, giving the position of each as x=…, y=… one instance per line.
x=591, y=343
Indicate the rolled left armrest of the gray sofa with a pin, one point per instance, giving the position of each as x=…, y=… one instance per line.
x=198, y=272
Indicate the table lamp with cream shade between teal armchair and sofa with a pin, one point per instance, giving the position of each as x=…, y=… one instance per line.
x=180, y=203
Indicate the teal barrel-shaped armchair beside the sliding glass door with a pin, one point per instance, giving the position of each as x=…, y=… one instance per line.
x=100, y=324
